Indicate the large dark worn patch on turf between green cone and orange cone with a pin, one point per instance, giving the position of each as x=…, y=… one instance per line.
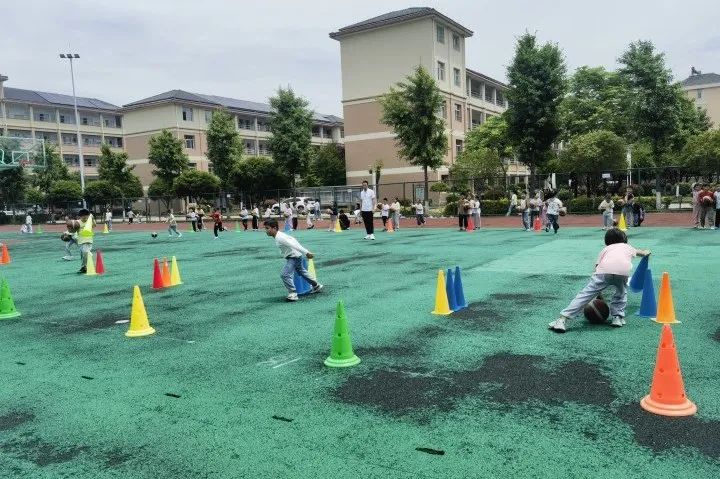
x=507, y=380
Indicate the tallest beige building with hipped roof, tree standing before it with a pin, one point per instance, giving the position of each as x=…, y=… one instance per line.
x=378, y=53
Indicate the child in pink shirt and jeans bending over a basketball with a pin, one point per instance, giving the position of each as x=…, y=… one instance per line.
x=613, y=268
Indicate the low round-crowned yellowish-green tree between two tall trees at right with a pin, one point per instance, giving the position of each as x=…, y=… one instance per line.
x=591, y=154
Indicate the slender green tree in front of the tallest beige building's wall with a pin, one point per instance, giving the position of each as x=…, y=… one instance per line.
x=411, y=109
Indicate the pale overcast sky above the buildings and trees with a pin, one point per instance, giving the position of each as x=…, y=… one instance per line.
x=133, y=49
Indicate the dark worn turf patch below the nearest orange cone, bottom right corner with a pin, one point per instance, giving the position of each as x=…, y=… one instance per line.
x=660, y=433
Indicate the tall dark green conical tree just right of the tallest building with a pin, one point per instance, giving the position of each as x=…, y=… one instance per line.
x=537, y=86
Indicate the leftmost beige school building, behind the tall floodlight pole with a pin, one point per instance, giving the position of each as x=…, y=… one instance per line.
x=51, y=117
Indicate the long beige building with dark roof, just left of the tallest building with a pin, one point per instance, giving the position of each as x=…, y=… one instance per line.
x=188, y=115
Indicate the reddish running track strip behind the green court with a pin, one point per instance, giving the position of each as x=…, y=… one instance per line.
x=682, y=219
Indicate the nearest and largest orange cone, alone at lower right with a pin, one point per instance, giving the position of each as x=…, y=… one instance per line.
x=667, y=392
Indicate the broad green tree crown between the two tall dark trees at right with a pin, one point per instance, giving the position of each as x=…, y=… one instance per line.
x=594, y=102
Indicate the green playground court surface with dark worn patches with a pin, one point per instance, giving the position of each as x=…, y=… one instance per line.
x=233, y=384
